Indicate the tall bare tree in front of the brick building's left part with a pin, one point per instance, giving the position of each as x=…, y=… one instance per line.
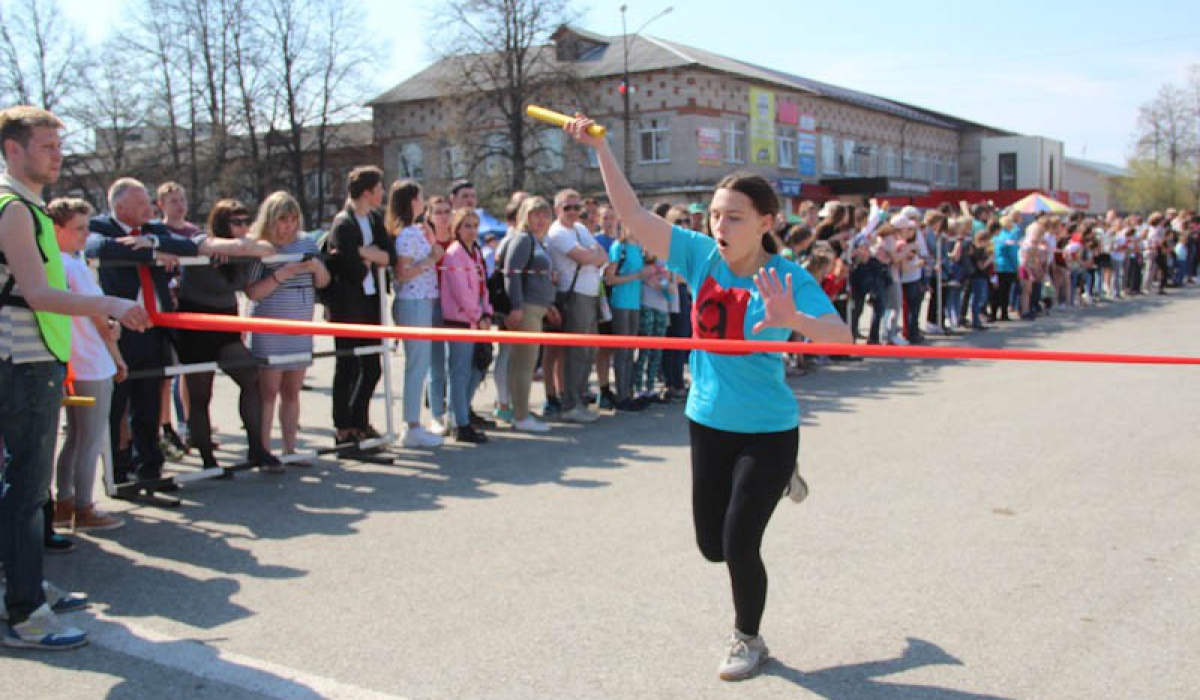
x=509, y=65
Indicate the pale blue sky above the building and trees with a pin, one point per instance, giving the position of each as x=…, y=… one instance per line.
x=1071, y=70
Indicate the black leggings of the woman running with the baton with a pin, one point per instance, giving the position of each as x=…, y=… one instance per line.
x=736, y=483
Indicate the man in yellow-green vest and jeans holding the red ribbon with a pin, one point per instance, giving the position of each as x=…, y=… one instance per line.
x=35, y=342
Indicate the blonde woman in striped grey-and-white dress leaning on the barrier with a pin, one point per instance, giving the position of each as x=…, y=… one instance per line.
x=284, y=291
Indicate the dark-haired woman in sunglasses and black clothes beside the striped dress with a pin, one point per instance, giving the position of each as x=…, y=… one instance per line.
x=214, y=290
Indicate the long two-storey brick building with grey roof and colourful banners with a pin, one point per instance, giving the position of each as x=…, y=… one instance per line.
x=695, y=117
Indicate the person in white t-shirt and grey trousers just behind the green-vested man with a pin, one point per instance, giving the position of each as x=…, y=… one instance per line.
x=95, y=362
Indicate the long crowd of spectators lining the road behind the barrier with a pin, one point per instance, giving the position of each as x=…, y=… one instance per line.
x=562, y=265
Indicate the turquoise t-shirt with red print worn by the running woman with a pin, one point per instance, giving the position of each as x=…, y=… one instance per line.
x=746, y=393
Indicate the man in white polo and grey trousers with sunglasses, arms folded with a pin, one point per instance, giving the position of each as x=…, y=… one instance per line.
x=579, y=260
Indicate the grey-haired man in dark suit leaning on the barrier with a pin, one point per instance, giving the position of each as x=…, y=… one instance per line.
x=128, y=236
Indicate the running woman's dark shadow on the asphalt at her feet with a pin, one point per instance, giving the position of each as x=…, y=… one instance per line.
x=860, y=681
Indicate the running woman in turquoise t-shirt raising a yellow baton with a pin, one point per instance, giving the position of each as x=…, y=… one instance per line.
x=743, y=417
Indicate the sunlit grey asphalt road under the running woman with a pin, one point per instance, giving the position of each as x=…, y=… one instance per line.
x=976, y=531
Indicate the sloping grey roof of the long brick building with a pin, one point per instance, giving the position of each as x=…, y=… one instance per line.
x=646, y=55
